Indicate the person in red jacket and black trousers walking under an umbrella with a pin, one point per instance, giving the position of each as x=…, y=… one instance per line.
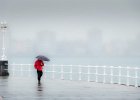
x=38, y=66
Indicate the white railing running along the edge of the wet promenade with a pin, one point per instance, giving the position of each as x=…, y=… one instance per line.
x=129, y=76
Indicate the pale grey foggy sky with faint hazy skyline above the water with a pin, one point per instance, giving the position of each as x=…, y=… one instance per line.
x=73, y=27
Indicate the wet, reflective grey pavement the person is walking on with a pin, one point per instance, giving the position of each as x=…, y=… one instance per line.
x=21, y=88
